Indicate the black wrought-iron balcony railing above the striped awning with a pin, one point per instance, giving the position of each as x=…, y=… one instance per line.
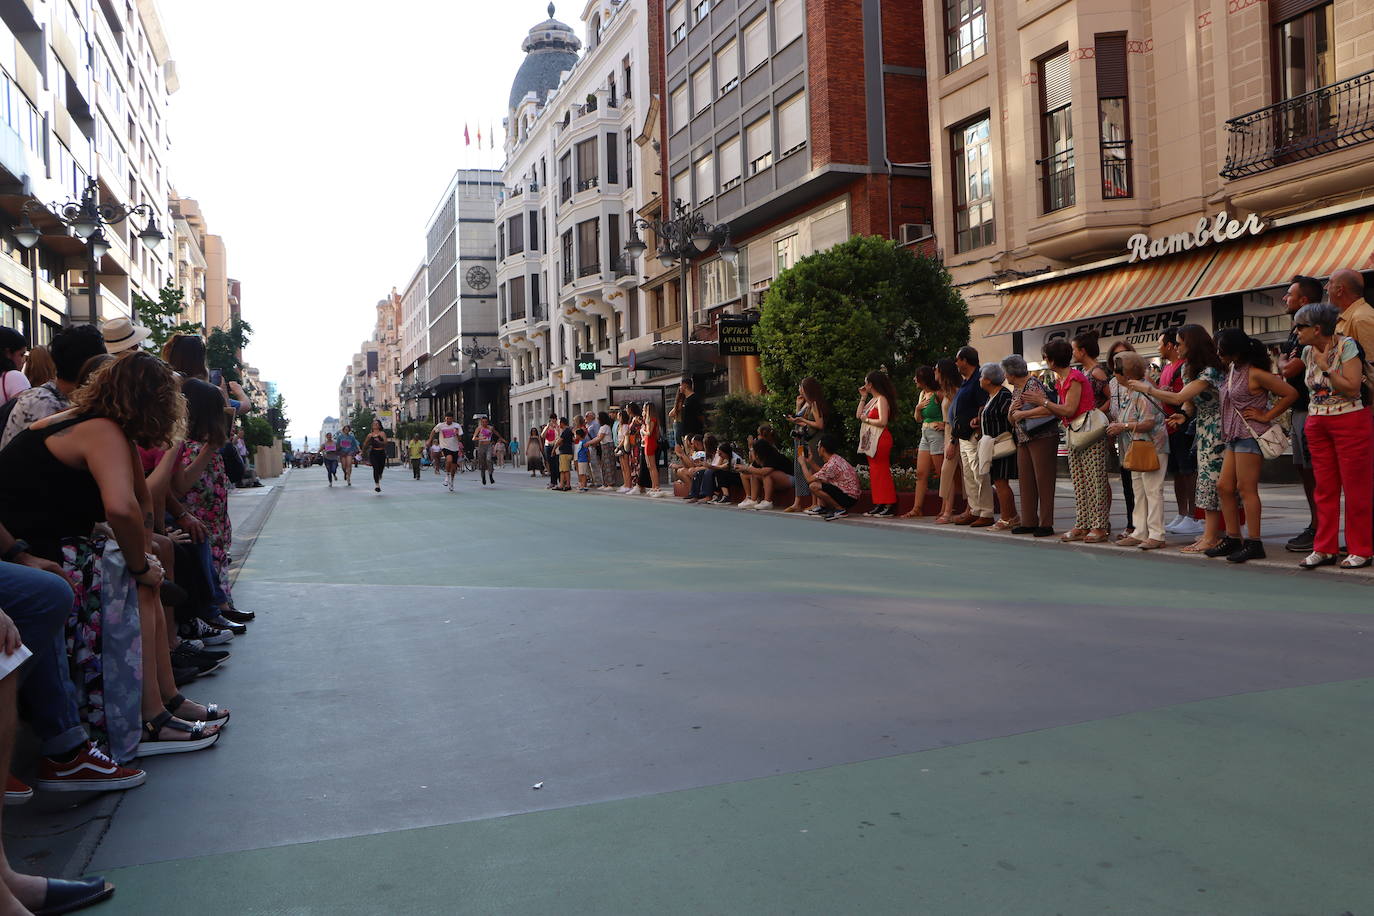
x=1307, y=126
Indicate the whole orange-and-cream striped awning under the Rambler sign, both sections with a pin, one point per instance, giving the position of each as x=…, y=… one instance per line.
x=1314, y=249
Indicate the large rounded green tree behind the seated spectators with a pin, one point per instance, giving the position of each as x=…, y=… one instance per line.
x=862, y=306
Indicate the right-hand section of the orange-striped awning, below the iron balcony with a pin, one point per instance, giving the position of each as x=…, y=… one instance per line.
x=1274, y=259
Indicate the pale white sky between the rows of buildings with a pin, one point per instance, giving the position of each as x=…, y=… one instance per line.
x=318, y=138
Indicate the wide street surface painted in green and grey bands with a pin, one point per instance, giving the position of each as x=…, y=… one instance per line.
x=744, y=713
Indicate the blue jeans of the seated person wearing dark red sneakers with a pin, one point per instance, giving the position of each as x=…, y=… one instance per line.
x=39, y=604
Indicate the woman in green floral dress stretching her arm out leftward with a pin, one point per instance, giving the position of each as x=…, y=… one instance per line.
x=1203, y=395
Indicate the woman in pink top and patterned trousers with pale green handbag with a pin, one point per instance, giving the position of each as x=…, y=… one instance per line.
x=1088, y=466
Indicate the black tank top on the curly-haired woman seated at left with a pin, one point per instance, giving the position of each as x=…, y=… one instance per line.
x=42, y=499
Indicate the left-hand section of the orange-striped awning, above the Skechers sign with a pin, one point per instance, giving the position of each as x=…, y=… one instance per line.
x=1120, y=289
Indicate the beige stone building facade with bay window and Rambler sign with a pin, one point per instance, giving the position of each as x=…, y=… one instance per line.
x=1134, y=170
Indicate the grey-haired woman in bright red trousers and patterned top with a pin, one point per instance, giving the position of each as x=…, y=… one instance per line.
x=1339, y=433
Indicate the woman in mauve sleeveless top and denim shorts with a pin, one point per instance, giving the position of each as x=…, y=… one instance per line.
x=1246, y=417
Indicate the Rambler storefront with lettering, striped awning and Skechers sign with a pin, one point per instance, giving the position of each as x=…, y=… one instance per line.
x=1224, y=274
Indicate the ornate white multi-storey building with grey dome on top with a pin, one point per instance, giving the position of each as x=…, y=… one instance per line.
x=568, y=297
